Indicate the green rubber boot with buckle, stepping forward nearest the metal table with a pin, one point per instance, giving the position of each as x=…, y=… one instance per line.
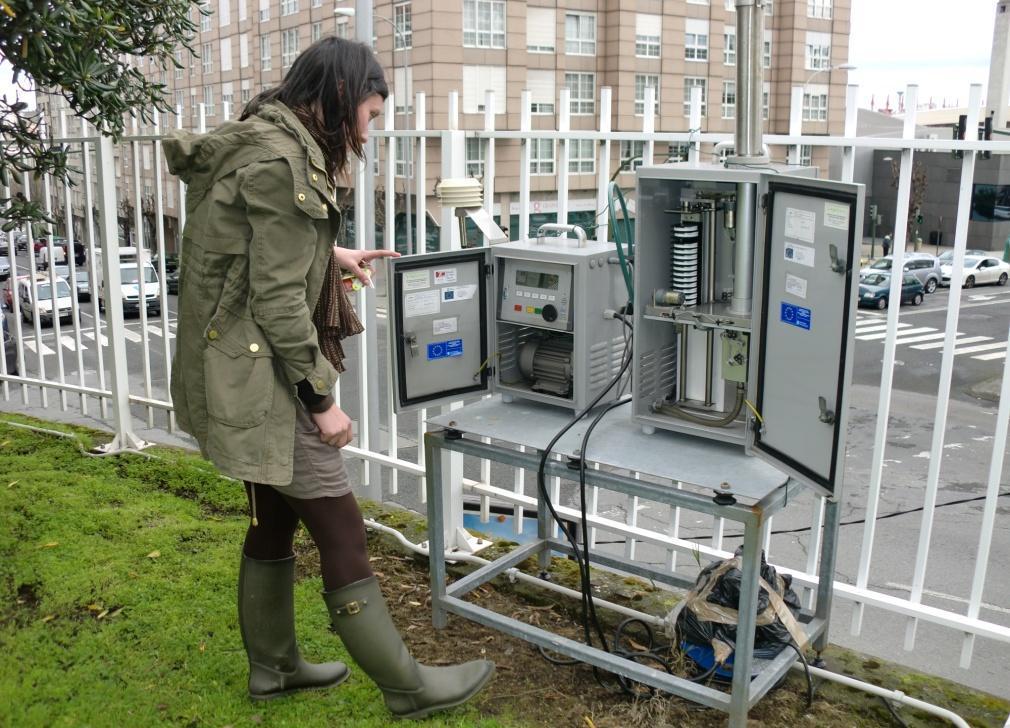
x=360, y=616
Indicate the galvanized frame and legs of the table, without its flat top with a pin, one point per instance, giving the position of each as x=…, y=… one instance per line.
x=755, y=518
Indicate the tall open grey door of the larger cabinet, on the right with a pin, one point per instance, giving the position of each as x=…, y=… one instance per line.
x=803, y=317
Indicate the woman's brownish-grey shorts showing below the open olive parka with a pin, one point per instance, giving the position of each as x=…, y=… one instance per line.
x=319, y=470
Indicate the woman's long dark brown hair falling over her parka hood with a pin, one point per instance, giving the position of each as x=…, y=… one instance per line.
x=333, y=77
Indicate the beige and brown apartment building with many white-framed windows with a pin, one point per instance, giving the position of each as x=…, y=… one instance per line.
x=469, y=47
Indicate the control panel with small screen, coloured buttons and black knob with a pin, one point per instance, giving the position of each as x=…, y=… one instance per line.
x=536, y=293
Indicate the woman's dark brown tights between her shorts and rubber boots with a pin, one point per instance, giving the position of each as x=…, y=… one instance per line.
x=335, y=525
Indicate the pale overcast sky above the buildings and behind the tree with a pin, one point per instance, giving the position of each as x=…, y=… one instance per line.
x=942, y=47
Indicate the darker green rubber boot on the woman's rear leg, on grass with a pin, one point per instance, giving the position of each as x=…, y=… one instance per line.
x=267, y=620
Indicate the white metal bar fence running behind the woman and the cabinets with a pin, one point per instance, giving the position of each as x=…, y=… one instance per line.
x=106, y=367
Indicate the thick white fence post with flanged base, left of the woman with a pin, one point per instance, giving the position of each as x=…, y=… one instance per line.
x=125, y=439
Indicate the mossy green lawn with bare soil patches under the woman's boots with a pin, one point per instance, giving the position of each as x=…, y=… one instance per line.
x=118, y=608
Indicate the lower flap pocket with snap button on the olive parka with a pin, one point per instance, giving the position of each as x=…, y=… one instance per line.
x=239, y=372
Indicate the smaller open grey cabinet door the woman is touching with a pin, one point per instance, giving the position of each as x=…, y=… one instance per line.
x=440, y=327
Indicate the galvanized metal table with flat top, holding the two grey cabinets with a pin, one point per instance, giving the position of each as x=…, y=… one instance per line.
x=758, y=490
